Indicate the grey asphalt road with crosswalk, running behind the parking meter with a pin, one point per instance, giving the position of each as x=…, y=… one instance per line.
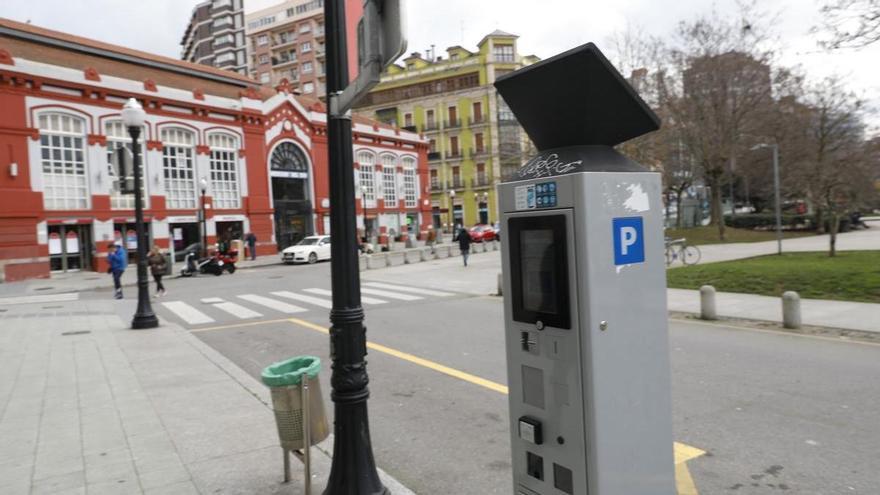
x=775, y=412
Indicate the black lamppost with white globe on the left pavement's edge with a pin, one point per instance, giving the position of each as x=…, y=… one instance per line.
x=133, y=117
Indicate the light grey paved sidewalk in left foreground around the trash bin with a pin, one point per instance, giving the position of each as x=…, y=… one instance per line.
x=89, y=406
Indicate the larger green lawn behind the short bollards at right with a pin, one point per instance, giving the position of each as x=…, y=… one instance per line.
x=850, y=276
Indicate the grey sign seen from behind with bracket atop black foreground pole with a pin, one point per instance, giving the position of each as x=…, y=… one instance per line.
x=381, y=40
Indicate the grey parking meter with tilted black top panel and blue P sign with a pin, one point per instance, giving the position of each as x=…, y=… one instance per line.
x=585, y=288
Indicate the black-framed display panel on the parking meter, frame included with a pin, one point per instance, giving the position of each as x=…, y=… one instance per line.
x=539, y=269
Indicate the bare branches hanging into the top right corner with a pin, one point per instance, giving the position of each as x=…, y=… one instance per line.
x=849, y=23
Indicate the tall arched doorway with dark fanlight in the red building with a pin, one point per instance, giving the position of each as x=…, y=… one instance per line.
x=291, y=194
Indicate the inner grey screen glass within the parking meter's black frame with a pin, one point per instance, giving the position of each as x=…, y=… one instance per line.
x=538, y=271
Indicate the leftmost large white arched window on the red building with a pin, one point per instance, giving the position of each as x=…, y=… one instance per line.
x=62, y=148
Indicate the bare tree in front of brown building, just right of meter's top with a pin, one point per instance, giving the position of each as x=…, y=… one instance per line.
x=716, y=86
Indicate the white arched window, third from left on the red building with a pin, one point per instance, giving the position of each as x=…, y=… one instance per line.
x=178, y=153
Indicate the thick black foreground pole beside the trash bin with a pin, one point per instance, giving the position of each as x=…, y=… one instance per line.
x=353, y=471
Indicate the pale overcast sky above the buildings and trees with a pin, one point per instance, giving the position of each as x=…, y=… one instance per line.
x=545, y=27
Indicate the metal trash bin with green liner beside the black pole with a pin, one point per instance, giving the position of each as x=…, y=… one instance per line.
x=297, y=402
